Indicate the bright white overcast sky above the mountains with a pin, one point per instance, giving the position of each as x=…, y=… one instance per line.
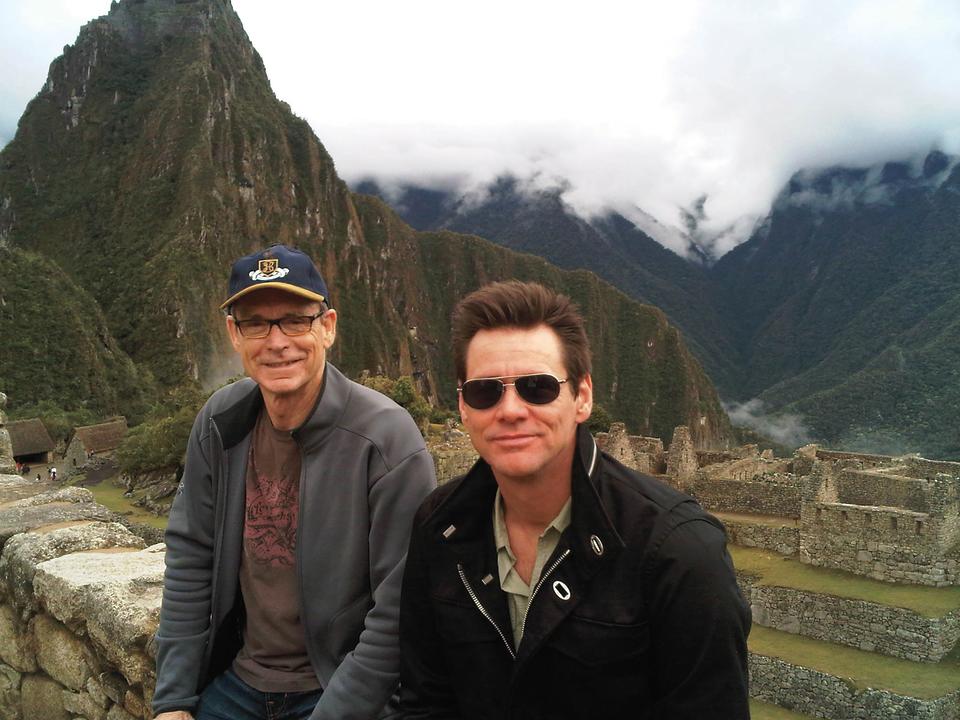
x=647, y=104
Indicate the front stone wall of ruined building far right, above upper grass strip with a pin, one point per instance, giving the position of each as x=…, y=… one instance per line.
x=879, y=542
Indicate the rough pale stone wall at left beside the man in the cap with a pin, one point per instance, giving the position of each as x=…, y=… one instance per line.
x=79, y=604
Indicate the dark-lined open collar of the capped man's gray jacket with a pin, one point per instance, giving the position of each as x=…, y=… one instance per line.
x=238, y=420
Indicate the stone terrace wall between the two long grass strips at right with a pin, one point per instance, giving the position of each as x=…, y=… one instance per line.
x=863, y=625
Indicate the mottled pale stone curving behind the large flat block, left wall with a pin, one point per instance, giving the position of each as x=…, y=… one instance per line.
x=25, y=551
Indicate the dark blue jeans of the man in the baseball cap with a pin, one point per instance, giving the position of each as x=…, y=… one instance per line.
x=230, y=698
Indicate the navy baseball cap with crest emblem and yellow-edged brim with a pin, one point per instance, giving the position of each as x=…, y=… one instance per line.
x=280, y=267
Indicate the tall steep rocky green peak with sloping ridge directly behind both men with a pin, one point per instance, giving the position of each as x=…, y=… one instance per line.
x=156, y=153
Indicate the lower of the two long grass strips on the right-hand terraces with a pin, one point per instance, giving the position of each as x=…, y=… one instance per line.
x=862, y=669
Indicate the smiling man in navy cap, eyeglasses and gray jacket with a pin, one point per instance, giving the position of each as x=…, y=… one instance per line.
x=286, y=541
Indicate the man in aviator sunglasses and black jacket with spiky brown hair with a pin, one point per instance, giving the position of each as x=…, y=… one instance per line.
x=551, y=581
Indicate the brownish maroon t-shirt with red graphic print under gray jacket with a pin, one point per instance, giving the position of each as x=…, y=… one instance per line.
x=274, y=653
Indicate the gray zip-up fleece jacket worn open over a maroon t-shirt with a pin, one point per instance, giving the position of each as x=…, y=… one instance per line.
x=365, y=471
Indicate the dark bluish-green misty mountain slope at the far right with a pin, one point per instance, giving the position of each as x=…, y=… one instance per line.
x=848, y=305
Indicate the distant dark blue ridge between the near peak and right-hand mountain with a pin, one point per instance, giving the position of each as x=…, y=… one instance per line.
x=538, y=221
